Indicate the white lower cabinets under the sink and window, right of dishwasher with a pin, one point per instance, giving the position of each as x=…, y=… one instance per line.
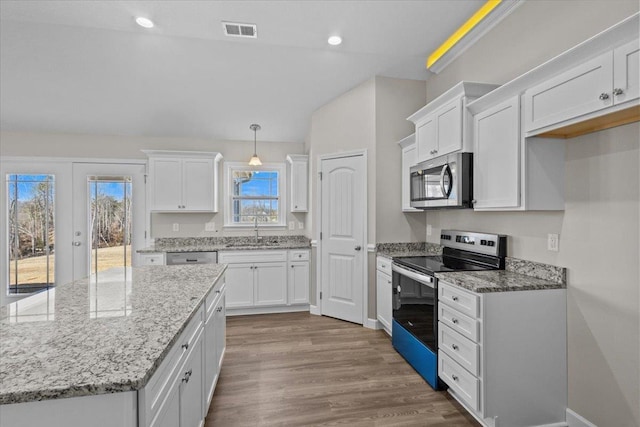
x=269, y=280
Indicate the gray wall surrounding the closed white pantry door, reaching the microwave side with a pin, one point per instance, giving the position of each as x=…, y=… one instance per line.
x=371, y=116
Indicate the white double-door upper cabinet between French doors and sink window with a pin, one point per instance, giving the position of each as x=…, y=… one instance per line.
x=183, y=181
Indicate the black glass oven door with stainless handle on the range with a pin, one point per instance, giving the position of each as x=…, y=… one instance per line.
x=415, y=304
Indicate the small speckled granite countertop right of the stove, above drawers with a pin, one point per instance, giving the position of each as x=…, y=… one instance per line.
x=497, y=281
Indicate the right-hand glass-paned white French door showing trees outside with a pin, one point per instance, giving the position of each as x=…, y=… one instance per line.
x=108, y=216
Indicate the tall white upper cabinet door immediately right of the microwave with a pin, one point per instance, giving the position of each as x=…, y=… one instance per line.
x=496, y=156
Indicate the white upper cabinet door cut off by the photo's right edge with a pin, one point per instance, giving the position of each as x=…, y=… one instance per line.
x=626, y=72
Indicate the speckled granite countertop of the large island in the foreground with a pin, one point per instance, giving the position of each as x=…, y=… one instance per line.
x=87, y=338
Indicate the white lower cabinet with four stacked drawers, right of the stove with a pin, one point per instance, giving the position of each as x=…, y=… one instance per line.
x=503, y=354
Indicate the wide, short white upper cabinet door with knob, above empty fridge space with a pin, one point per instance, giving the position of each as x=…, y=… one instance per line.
x=581, y=90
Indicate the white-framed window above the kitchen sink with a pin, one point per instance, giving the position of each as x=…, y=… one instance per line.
x=254, y=195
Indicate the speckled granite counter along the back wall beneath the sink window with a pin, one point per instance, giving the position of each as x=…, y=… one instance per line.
x=212, y=244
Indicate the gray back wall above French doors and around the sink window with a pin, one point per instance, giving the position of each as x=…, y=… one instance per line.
x=121, y=147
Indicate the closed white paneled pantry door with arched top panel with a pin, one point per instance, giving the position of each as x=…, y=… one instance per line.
x=343, y=219
